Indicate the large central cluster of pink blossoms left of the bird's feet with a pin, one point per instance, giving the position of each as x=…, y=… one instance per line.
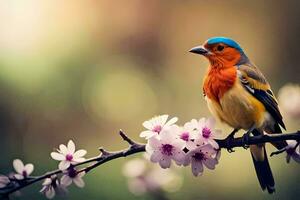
x=192, y=144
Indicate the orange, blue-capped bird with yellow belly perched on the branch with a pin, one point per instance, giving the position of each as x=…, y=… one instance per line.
x=238, y=94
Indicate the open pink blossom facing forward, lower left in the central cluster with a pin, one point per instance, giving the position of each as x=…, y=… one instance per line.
x=165, y=148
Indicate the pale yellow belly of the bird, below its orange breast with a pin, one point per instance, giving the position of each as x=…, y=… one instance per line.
x=238, y=108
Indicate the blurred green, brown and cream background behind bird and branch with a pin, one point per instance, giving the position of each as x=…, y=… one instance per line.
x=84, y=69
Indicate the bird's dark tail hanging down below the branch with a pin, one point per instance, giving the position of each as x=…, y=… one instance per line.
x=262, y=168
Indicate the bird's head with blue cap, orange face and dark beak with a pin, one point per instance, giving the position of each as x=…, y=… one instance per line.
x=221, y=52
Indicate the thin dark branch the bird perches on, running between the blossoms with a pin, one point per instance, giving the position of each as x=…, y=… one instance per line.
x=135, y=147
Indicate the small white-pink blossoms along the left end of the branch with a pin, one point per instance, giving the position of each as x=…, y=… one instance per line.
x=68, y=158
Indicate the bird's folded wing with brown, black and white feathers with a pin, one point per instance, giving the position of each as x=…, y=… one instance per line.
x=256, y=84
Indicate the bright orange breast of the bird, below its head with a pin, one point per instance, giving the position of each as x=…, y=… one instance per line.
x=218, y=81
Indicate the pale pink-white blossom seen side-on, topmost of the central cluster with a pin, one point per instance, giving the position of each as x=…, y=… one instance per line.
x=156, y=125
